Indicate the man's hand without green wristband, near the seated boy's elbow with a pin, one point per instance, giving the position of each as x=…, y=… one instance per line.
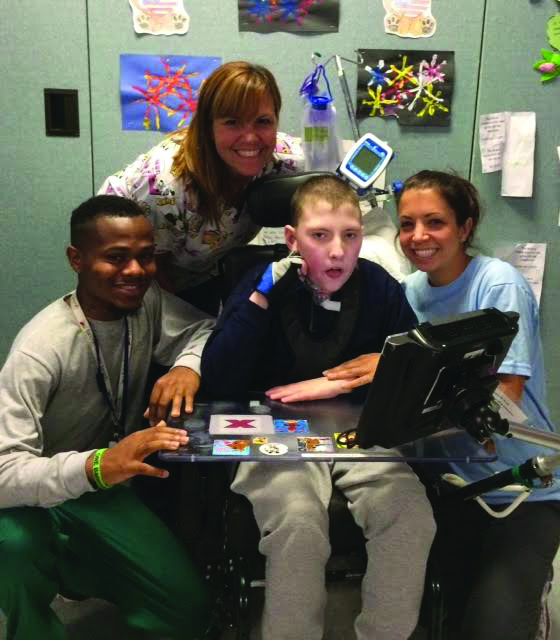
x=176, y=387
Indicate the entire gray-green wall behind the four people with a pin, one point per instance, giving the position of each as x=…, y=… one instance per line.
x=76, y=44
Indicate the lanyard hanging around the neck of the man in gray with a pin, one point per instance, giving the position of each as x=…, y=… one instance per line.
x=118, y=405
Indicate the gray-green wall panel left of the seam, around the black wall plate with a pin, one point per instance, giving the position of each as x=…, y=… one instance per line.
x=42, y=45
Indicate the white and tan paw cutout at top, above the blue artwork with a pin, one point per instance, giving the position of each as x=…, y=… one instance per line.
x=159, y=17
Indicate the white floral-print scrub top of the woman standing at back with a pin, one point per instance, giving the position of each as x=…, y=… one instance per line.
x=193, y=244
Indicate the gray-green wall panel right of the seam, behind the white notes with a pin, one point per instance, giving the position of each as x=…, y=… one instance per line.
x=509, y=83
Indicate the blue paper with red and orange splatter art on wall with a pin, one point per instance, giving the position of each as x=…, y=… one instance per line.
x=160, y=93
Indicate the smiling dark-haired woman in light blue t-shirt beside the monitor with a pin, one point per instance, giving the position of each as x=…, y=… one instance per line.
x=499, y=567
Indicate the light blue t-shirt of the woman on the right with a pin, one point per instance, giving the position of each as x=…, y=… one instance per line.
x=490, y=282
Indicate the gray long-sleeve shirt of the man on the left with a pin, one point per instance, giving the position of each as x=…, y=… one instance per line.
x=52, y=414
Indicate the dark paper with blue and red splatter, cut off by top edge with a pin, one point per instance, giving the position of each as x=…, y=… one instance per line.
x=266, y=16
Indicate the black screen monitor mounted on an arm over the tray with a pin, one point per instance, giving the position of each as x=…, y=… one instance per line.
x=437, y=375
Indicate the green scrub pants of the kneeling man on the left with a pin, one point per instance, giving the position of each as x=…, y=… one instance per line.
x=104, y=545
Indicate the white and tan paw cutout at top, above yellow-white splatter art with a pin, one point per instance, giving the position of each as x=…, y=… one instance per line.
x=409, y=18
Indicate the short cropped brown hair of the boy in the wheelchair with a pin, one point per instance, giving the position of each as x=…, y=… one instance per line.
x=330, y=188
